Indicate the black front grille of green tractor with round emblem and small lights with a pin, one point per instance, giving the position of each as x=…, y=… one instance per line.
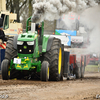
x=25, y=49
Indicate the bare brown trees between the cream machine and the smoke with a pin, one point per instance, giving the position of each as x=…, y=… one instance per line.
x=23, y=9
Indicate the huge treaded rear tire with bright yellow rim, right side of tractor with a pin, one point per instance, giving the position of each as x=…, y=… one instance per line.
x=54, y=57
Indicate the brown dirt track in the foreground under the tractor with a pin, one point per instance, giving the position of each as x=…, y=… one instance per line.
x=80, y=89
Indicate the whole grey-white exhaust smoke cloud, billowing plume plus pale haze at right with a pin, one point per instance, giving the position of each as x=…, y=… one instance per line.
x=90, y=16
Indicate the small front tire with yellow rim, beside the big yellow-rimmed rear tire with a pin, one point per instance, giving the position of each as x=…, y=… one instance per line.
x=45, y=71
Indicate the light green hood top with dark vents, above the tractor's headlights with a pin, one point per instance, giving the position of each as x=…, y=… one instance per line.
x=27, y=36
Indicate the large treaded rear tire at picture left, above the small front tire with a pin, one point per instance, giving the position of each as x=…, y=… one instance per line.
x=10, y=52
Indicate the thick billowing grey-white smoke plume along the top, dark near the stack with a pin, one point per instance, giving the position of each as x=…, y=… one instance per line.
x=53, y=9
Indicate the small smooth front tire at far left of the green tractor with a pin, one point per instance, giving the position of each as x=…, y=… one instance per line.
x=4, y=69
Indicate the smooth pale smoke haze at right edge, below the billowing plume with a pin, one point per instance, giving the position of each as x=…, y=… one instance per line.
x=91, y=19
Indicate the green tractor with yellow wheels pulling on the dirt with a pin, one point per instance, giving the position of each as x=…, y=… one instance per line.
x=29, y=55
